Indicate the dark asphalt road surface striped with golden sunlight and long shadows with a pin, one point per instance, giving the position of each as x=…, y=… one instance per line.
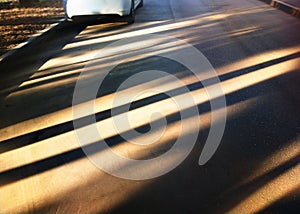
x=253, y=48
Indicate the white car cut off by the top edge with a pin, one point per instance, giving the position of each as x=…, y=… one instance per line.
x=125, y=8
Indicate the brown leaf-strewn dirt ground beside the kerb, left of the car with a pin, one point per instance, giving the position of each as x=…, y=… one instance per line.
x=19, y=24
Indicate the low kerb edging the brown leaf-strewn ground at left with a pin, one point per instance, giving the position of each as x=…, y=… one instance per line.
x=36, y=38
